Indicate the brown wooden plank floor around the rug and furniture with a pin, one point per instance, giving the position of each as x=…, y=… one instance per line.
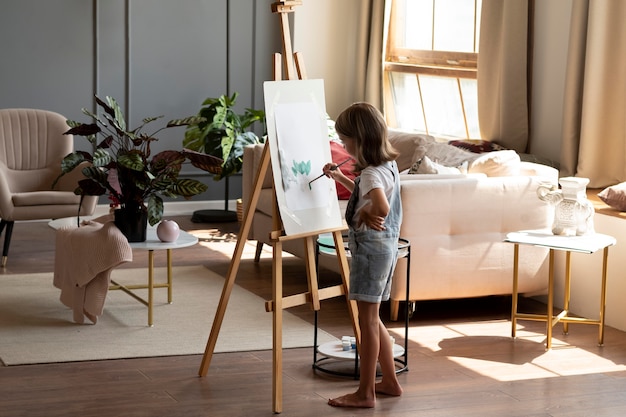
x=462, y=361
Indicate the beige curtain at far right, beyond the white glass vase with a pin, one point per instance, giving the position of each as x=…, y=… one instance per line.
x=594, y=125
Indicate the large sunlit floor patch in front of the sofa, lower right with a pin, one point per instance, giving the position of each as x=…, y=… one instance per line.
x=487, y=349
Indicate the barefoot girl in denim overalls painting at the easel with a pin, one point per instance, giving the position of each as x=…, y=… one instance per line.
x=374, y=214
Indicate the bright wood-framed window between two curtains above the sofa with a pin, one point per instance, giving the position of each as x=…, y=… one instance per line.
x=430, y=67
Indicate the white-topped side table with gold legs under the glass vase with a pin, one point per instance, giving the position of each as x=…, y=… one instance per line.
x=582, y=244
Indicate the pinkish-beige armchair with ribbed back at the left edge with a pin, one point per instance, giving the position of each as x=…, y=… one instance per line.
x=32, y=146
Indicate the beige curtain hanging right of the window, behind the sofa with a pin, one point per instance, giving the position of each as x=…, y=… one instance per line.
x=502, y=73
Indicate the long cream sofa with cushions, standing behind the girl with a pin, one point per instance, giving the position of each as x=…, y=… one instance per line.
x=455, y=222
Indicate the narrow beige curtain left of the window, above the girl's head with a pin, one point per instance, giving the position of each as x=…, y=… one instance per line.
x=369, y=66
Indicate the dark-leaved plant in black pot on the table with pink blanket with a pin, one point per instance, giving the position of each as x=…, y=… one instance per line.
x=123, y=167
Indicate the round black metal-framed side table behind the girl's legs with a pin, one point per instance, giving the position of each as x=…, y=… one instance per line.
x=322, y=363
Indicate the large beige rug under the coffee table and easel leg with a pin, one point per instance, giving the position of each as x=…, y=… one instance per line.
x=35, y=327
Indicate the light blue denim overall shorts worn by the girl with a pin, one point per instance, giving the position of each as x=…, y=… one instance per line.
x=374, y=253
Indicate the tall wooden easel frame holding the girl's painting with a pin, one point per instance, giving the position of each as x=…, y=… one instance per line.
x=279, y=302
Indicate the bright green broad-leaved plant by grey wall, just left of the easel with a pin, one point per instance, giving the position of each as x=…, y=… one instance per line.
x=223, y=134
